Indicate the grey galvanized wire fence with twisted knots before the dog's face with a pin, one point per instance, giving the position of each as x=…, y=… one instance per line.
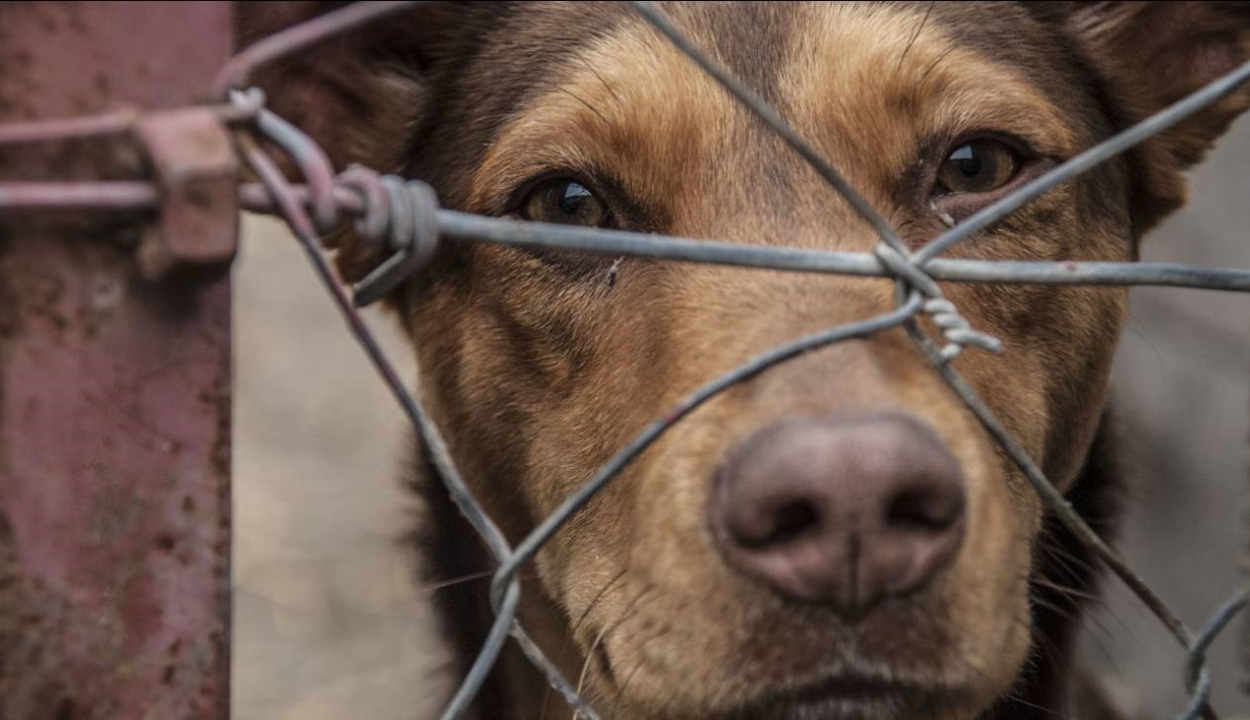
x=404, y=217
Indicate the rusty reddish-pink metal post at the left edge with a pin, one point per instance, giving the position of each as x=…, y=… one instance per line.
x=114, y=384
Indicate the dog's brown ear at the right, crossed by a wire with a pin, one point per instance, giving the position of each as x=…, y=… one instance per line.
x=1154, y=54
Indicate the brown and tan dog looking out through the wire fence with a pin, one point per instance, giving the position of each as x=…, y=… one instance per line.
x=837, y=538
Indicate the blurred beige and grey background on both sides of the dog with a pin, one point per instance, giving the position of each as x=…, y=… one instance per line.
x=332, y=626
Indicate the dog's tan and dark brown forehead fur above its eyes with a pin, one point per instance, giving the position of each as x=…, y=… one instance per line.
x=864, y=82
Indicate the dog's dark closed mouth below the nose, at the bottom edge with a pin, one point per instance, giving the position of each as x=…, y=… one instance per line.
x=849, y=697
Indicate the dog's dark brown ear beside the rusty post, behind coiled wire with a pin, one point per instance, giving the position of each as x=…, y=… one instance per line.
x=359, y=94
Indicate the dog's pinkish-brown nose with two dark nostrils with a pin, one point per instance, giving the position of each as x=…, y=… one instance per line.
x=846, y=512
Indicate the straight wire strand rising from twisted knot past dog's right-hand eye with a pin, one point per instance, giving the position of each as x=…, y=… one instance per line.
x=1087, y=161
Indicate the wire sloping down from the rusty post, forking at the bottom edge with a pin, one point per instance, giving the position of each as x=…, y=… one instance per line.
x=441, y=456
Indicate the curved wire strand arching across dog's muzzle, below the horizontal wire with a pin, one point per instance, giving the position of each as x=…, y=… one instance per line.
x=531, y=546
